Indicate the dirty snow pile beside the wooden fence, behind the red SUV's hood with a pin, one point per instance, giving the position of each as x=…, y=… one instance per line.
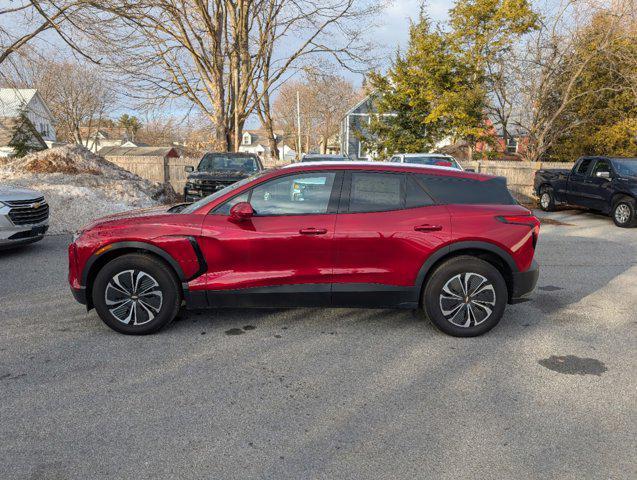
x=81, y=186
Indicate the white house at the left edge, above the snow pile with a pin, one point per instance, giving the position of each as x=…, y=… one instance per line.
x=14, y=101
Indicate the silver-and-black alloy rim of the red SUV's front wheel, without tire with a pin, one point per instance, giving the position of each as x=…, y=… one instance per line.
x=133, y=297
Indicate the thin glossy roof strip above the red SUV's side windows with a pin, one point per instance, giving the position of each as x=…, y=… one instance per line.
x=386, y=166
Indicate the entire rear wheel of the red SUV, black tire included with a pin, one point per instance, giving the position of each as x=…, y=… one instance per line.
x=459, y=269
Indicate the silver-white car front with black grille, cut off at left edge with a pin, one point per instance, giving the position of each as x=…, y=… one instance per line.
x=24, y=216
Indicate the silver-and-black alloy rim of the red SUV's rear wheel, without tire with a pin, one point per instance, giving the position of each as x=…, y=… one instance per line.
x=467, y=299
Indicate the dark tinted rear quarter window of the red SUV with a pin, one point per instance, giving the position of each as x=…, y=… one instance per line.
x=454, y=190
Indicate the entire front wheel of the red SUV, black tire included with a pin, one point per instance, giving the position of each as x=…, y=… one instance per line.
x=161, y=300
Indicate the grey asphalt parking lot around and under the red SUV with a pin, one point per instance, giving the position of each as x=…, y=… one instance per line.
x=329, y=394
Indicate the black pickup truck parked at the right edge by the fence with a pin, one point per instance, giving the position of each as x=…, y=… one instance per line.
x=604, y=184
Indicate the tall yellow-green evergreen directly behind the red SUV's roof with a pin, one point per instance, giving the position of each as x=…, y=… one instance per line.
x=439, y=88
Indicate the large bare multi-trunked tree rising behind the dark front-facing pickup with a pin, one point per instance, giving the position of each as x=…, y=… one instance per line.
x=226, y=57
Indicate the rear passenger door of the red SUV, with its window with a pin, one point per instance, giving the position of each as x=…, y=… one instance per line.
x=386, y=228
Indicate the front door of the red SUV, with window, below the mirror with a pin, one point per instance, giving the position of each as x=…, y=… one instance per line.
x=286, y=247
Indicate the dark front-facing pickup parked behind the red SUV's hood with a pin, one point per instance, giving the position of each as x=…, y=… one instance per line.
x=218, y=170
